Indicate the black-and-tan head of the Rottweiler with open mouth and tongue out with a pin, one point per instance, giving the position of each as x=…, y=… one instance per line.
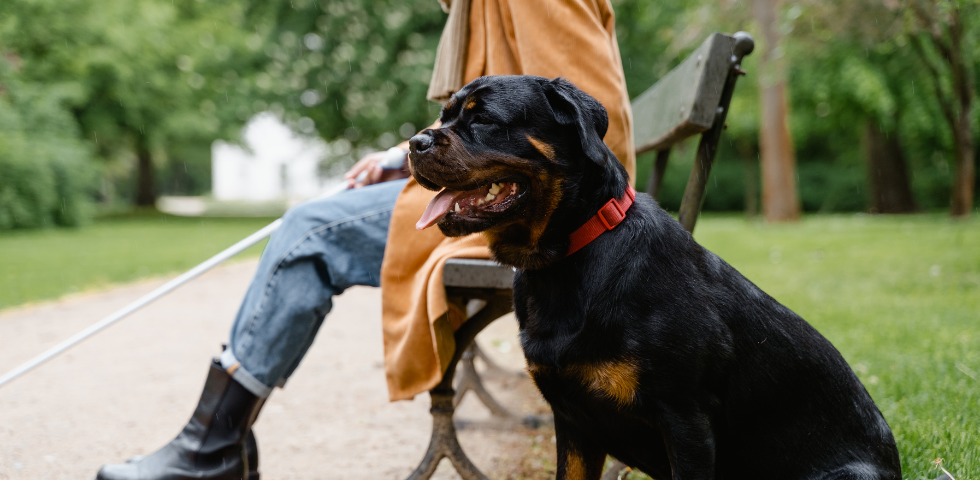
x=520, y=158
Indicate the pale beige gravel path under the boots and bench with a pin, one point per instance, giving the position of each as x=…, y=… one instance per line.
x=131, y=388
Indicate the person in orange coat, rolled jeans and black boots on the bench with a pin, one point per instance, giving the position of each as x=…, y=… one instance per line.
x=367, y=236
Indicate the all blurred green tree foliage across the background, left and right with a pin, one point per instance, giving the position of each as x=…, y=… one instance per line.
x=168, y=77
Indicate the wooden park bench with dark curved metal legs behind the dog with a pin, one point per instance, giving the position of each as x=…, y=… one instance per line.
x=692, y=98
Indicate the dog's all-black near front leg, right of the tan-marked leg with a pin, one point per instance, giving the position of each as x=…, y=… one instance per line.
x=690, y=444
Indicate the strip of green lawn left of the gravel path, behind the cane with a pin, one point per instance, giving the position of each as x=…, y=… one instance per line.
x=45, y=264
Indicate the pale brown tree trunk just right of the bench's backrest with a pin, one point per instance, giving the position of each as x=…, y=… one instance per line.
x=780, y=202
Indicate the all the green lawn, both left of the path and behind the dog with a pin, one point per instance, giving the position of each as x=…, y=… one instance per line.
x=899, y=297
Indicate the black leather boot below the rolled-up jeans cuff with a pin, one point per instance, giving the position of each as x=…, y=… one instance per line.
x=213, y=444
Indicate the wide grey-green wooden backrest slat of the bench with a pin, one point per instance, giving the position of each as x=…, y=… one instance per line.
x=685, y=101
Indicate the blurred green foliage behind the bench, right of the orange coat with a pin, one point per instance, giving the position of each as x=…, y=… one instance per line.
x=850, y=64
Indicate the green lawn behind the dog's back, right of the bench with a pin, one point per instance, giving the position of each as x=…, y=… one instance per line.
x=900, y=298
